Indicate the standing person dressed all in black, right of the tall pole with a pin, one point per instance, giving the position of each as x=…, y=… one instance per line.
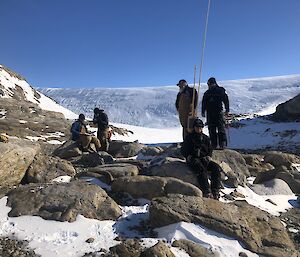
x=212, y=105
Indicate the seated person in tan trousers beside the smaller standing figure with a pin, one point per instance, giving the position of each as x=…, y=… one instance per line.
x=81, y=135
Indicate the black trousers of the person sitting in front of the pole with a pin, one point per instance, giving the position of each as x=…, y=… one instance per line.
x=201, y=167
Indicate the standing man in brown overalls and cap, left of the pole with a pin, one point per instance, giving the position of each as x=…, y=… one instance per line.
x=184, y=104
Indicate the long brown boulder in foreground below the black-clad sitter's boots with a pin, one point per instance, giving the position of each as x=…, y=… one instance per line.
x=259, y=231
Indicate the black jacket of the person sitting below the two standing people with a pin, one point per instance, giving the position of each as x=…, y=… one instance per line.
x=197, y=145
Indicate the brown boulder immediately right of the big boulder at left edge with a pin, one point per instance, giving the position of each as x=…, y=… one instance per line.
x=46, y=168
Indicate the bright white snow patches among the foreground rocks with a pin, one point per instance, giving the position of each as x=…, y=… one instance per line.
x=52, y=238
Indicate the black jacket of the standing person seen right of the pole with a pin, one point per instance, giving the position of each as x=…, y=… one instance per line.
x=213, y=99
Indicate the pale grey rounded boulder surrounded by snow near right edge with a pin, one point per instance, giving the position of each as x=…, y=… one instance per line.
x=272, y=187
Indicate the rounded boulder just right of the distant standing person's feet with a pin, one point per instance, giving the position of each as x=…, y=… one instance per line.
x=122, y=149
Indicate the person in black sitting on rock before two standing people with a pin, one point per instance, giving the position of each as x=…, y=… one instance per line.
x=197, y=150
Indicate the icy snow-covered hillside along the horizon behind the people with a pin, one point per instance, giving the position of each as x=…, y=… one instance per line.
x=154, y=106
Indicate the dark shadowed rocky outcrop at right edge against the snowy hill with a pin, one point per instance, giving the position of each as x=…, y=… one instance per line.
x=288, y=111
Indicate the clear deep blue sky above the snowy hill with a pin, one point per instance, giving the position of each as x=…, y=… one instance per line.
x=116, y=43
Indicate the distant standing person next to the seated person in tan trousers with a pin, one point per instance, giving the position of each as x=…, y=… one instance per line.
x=101, y=119
